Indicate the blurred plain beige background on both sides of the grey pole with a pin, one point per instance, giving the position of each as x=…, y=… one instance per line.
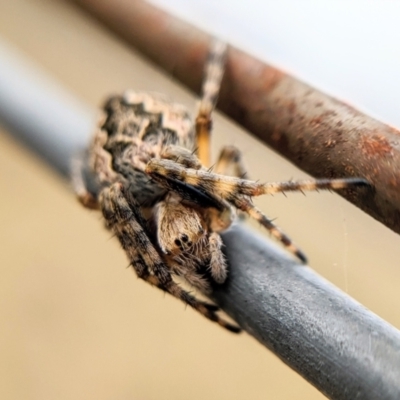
x=75, y=322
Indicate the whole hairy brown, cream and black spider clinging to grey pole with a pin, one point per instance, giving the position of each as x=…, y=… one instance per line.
x=160, y=200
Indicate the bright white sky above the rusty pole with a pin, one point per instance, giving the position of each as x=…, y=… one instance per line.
x=349, y=49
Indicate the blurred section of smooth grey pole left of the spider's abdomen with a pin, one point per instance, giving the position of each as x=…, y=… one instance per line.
x=40, y=113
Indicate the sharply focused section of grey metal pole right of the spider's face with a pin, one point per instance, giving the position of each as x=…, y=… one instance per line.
x=334, y=342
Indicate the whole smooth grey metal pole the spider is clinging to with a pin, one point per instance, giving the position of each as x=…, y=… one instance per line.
x=341, y=348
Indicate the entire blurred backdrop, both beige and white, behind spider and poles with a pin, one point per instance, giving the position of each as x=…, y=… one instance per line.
x=75, y=322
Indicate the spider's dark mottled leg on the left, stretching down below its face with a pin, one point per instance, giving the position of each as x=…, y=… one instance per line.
x=123, y=216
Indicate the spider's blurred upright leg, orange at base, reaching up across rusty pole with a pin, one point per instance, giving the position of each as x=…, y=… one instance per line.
x=211, y=84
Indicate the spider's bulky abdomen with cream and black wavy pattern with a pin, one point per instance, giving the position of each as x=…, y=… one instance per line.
x=136, y=127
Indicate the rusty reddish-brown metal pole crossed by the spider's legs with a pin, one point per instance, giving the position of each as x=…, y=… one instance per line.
x=321, y=135
